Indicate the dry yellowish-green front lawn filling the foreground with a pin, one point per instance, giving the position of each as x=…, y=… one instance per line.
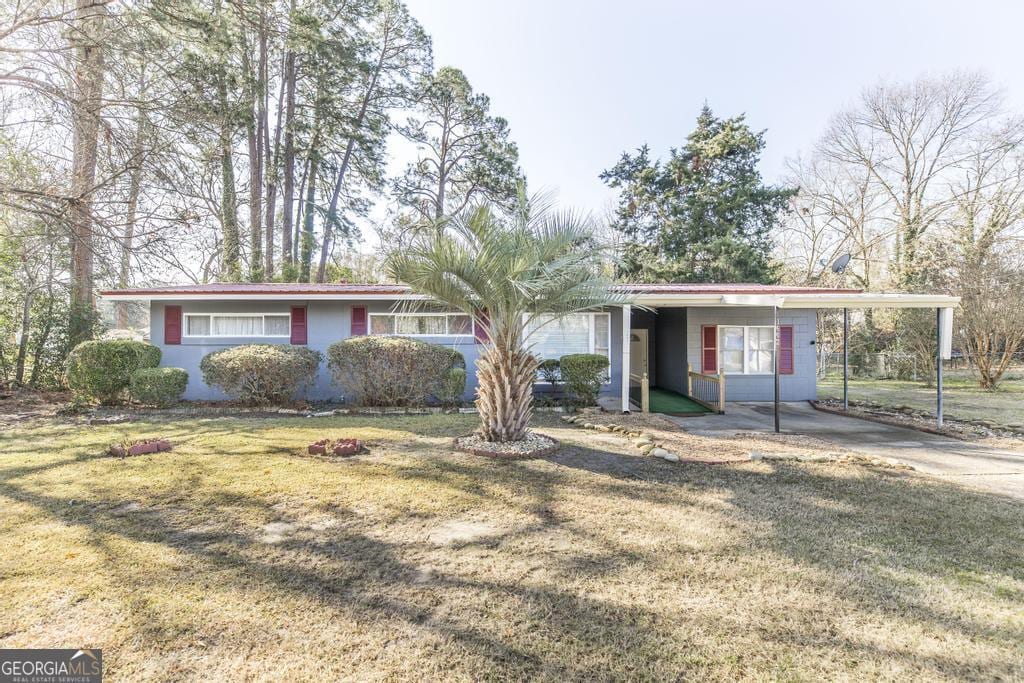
x=234, y=558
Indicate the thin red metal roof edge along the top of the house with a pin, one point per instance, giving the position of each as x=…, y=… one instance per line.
x=236, y=289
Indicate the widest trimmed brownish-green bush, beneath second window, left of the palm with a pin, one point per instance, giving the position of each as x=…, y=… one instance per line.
x=394, y=371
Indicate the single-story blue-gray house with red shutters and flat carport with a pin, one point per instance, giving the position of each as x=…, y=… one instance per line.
x=670, y=330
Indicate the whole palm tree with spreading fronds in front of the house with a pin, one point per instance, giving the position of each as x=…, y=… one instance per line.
x=506, y=272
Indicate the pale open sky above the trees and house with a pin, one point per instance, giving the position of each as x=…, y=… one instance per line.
x=581, y=82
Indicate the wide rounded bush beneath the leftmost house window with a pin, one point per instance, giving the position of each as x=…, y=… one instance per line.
x=262, y=373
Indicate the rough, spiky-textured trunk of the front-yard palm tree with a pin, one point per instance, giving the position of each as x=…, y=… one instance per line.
x=505, y=397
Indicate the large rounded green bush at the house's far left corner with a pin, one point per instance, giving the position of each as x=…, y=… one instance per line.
x=102, y=370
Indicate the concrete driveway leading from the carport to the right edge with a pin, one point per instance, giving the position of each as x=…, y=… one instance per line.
x=983, y=467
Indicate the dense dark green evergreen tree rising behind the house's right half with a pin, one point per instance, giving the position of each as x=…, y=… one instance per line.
x=705, y=215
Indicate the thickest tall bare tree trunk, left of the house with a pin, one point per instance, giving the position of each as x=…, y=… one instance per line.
x=88, y=40
